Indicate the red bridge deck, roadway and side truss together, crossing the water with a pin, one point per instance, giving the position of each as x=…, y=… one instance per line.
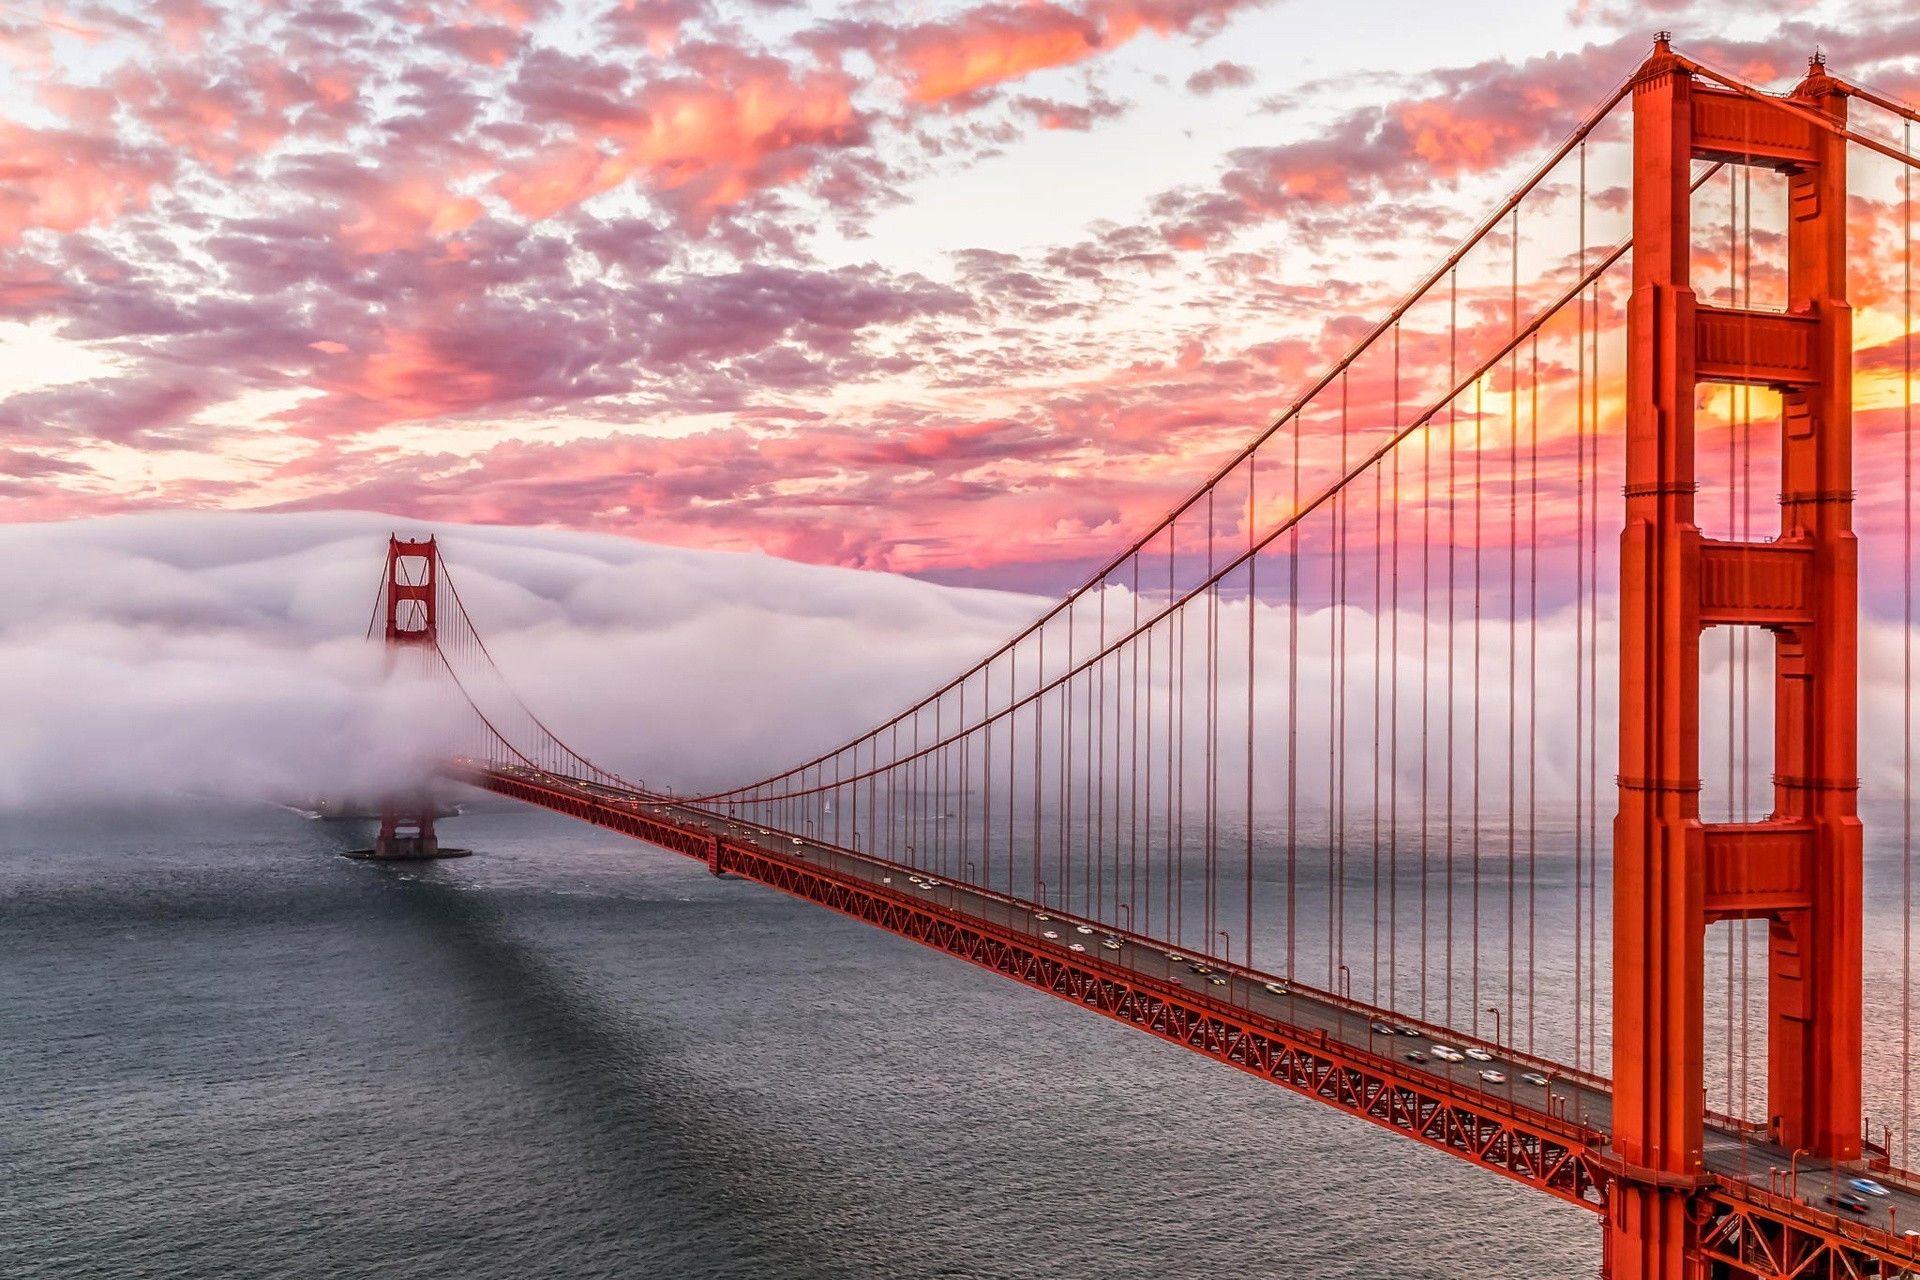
x=1552, y=1137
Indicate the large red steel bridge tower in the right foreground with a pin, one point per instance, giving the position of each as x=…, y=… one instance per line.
x=1800, y=870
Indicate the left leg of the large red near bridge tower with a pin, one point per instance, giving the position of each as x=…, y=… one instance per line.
x=1658, y=891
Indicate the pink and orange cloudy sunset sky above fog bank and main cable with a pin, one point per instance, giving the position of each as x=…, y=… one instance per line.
x=957, y=291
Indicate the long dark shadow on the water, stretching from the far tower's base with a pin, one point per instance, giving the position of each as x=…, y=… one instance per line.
x=661, y=1170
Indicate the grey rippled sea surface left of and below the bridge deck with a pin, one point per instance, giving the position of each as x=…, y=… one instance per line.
x=229, y=1053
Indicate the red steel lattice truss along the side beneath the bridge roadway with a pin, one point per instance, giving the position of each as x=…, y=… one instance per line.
x=1746, y=1233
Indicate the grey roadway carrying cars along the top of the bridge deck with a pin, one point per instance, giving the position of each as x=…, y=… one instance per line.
x=1568, y=1097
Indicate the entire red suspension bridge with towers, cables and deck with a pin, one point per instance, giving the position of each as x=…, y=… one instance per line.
x=1312, y=776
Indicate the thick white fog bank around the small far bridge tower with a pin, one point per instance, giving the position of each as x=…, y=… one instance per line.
x=226, y=653
